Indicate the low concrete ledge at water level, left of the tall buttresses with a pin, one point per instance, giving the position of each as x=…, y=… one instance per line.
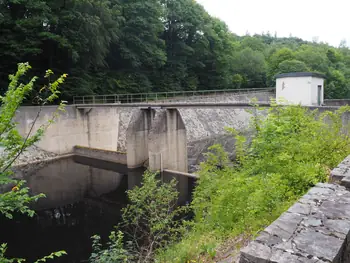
x=113, y=156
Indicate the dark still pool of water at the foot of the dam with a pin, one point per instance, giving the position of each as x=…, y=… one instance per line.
x=84, y=197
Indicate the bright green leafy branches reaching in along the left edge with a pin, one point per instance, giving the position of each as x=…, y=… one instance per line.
x=13, y=144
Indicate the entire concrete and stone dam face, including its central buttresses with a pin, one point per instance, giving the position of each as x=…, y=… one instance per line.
x=172, y=137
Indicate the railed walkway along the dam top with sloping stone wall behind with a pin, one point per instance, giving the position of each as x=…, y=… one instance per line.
x=235, y=97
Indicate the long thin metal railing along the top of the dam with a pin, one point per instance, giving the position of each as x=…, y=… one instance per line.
x=197, y=95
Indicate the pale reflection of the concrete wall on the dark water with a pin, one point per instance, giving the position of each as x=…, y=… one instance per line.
x=66, y=182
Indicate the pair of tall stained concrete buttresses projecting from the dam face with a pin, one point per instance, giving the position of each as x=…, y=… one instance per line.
x=159, y=137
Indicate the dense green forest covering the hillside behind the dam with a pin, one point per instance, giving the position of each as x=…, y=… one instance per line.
x=126, y=46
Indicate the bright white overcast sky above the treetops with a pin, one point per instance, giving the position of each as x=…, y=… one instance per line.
x=325, y=19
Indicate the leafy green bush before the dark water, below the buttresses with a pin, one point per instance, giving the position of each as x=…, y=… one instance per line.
x=150, y=223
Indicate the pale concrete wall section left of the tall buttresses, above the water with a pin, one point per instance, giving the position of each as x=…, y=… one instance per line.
x=102, y=128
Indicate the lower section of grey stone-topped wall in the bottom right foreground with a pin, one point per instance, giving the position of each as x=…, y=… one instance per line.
x=315, y=229
